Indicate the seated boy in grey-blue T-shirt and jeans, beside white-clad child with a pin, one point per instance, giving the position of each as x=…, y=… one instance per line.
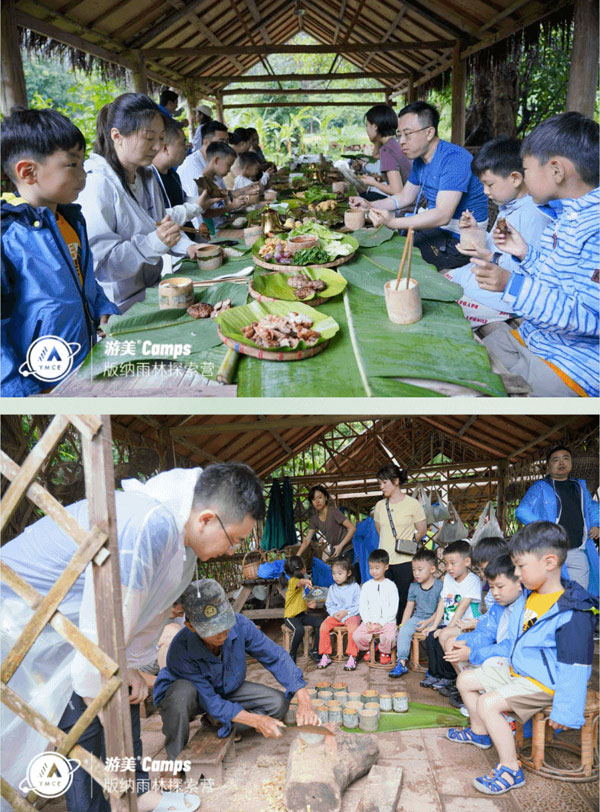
x=423, y=597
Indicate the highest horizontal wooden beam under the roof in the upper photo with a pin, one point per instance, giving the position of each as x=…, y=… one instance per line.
x=256, y=50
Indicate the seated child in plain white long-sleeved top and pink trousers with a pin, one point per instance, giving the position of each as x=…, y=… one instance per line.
x=378, y=605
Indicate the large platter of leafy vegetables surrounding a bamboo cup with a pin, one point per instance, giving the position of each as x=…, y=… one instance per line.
x=333, y=249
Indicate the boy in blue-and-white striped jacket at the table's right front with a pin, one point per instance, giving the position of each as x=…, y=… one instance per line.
x=556, y=347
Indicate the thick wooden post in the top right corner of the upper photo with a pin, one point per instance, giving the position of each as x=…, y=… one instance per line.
x=583, y=74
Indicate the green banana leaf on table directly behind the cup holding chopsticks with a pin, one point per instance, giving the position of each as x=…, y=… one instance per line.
x=371, y=269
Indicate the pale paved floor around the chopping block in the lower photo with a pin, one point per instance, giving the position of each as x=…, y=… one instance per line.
x=437, y=773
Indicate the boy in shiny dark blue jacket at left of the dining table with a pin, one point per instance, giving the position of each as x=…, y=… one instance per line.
x=52, y=305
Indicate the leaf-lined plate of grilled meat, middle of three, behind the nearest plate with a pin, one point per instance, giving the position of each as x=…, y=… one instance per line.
x=313, y=285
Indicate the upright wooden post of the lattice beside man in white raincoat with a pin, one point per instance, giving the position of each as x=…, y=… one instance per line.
x=100, y=490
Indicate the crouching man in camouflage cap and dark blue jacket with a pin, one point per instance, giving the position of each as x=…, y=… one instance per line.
x=206, y=673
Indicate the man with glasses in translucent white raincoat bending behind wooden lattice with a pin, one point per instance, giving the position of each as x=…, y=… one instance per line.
x=164, y=527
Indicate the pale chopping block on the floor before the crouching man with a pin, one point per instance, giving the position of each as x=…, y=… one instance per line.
x=318, y=774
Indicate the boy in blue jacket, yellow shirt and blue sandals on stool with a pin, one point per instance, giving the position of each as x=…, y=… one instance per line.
x=551, y=649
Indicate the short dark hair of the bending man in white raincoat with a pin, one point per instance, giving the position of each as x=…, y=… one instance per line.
x=233, y=488
